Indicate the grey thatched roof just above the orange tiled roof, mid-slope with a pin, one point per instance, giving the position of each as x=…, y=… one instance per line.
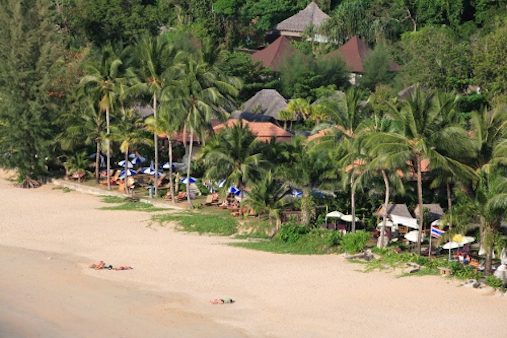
x=266, y=102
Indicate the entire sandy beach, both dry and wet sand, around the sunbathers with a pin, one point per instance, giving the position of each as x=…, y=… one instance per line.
x=48, y=238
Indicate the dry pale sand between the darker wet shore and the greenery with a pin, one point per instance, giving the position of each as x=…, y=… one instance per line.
x=277, y=295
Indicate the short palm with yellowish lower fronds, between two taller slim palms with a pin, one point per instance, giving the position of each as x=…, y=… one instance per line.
x=129, y=131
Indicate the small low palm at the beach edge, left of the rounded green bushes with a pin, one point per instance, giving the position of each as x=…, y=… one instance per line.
x=267, y=197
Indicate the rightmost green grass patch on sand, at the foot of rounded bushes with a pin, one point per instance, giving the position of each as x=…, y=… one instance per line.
x=315, y=242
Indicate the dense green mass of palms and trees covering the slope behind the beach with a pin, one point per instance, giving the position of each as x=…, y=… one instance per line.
x=73, y=74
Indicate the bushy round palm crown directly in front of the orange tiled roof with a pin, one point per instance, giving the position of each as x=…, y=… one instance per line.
x=234, y=154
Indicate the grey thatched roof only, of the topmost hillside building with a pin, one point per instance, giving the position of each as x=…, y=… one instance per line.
x=311, y=15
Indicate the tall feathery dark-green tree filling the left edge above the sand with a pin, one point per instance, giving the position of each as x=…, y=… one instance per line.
x=31, y=50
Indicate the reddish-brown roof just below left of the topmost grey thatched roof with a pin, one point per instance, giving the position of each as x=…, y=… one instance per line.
x=274, y=55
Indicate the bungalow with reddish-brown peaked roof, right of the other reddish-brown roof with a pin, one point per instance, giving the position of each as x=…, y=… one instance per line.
x=354, y=53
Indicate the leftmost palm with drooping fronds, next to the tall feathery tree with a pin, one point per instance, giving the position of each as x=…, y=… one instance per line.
x=87, y=126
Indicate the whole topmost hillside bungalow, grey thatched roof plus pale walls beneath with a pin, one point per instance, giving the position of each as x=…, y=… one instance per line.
x=296, y=25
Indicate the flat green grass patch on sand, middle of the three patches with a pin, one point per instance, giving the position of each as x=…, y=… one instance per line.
x=201, y=223
